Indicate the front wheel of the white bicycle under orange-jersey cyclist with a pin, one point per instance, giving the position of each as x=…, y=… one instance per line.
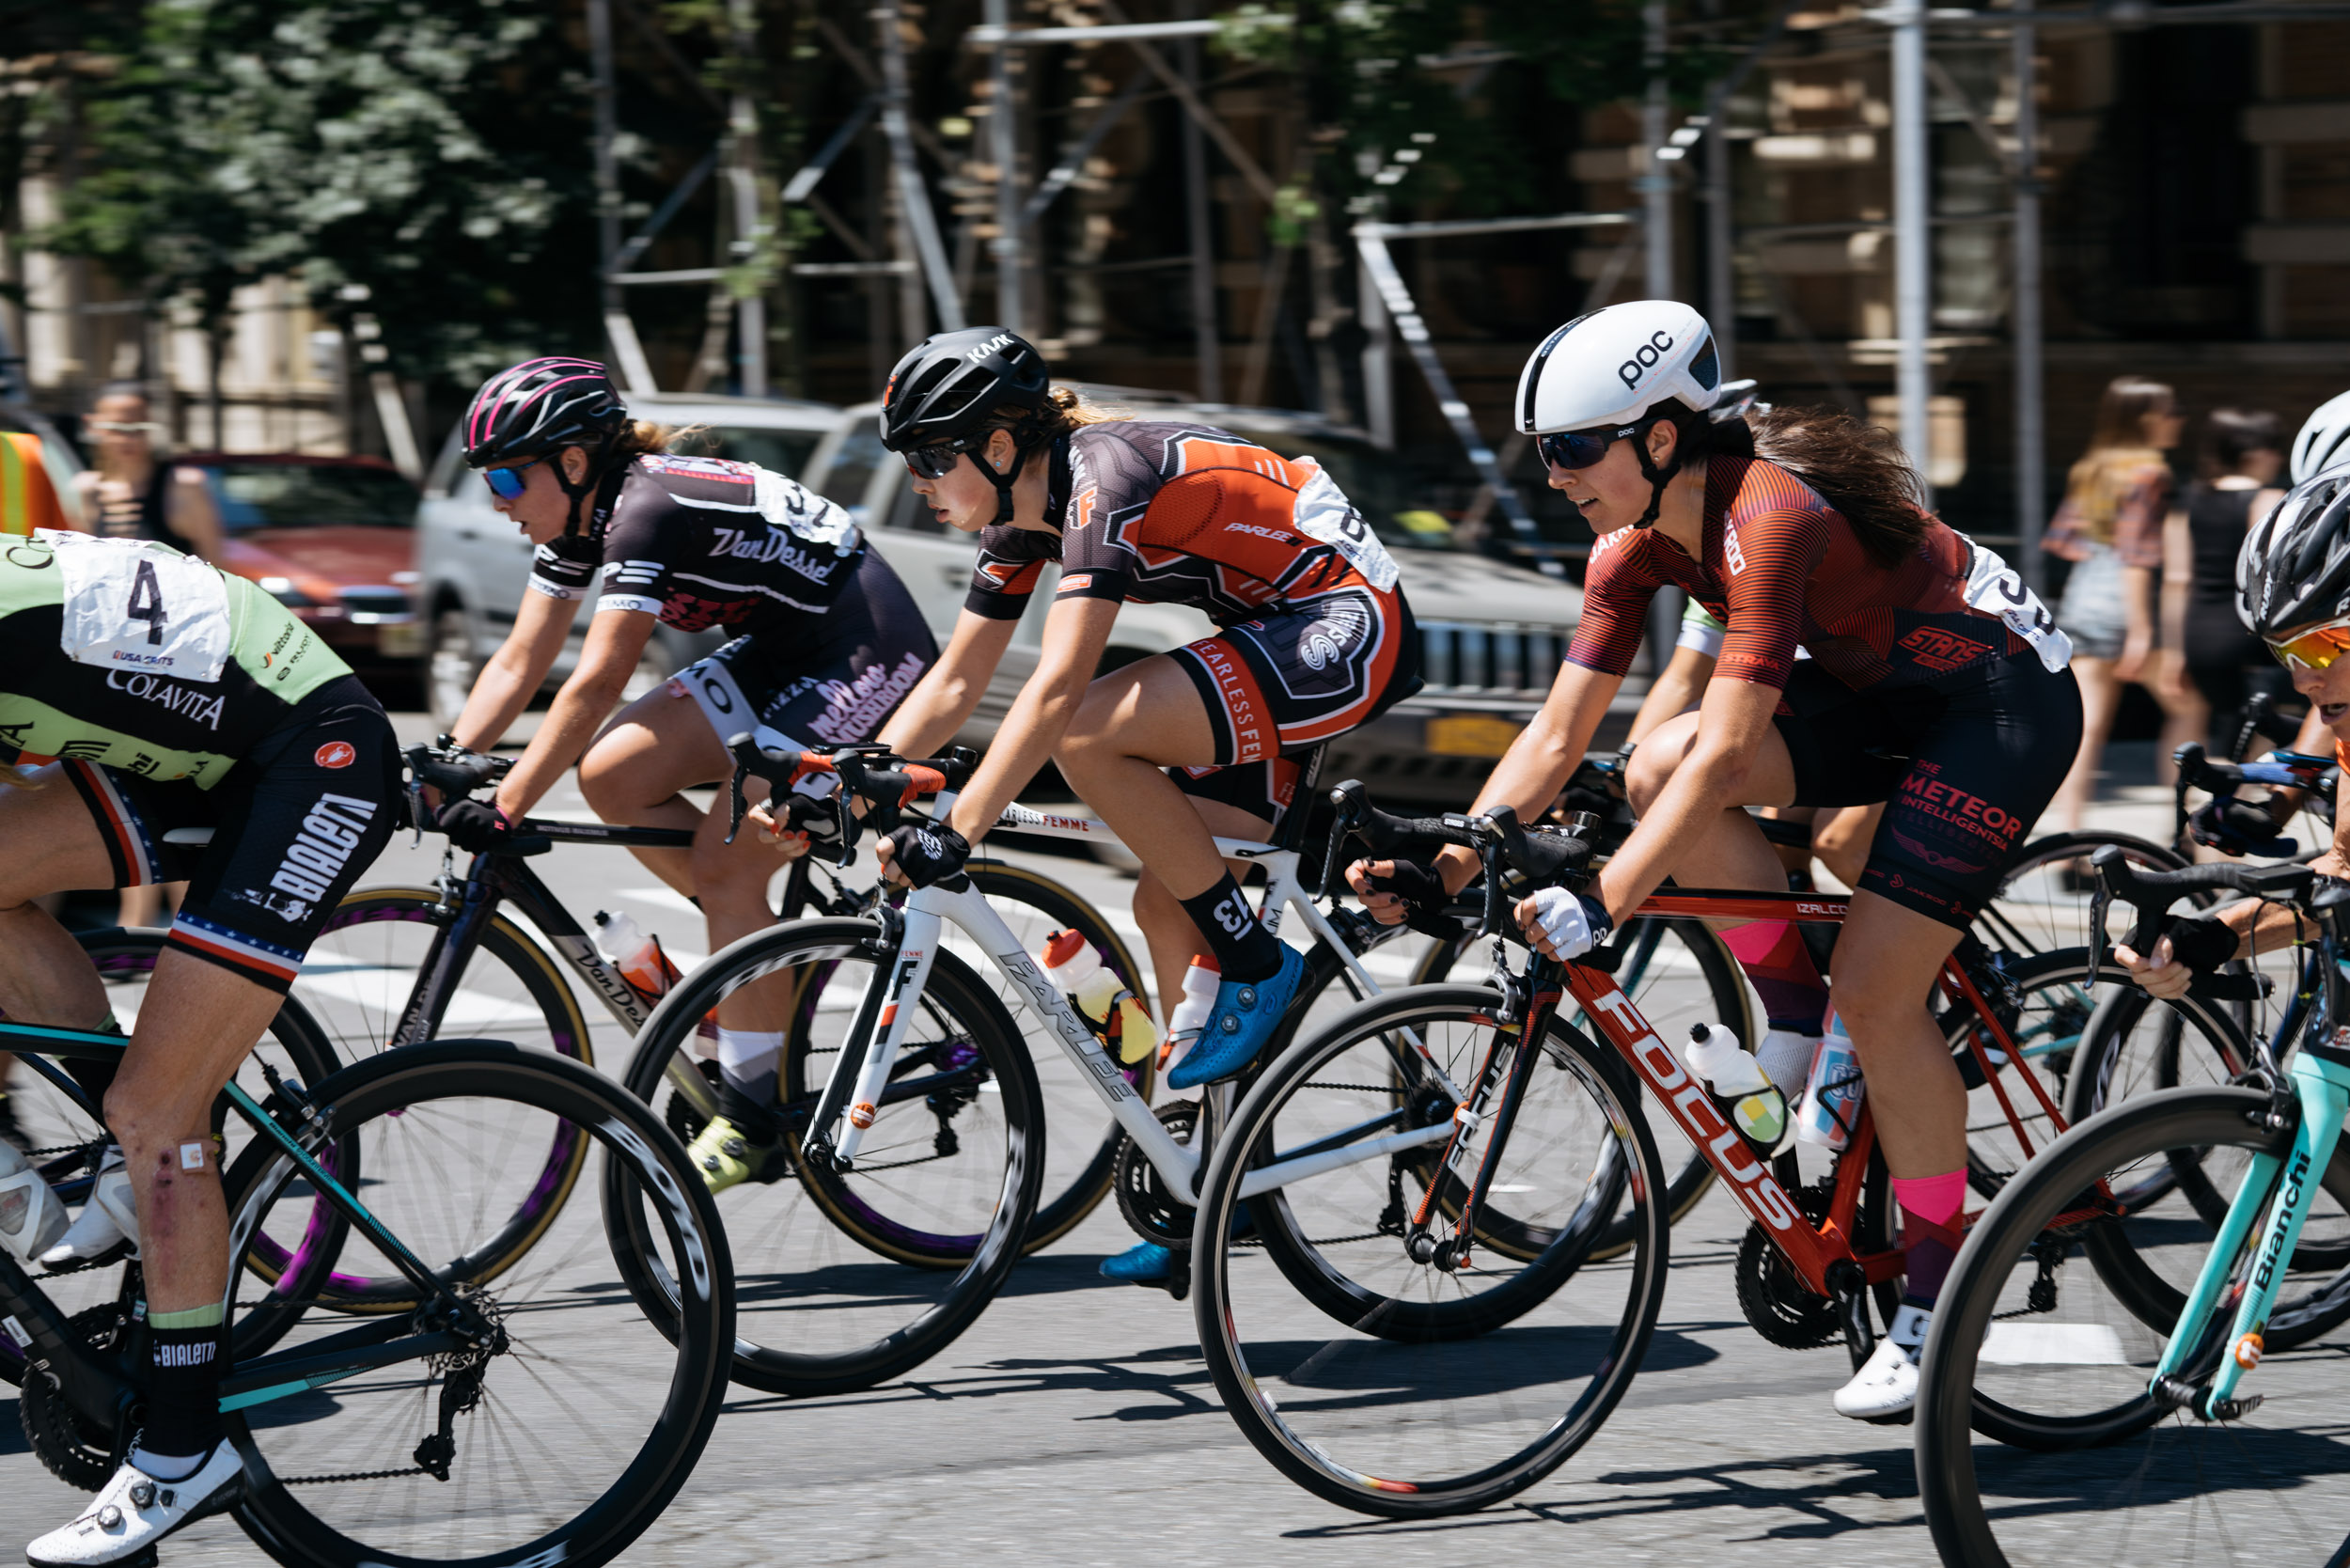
x=852, y=1278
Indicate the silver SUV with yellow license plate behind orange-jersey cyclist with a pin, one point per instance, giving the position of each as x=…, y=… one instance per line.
x=1491, y=636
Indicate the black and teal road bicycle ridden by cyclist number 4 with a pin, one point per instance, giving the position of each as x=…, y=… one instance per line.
x=419, y=1435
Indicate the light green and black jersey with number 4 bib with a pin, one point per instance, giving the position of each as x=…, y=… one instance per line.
x=142, y=659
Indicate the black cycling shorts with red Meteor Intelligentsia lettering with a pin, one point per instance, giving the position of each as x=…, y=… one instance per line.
x=1963, y=765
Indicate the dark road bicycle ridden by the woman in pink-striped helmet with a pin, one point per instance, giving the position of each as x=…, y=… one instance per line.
x=488, y=951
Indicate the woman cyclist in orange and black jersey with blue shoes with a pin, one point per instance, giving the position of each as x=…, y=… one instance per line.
x=1174, y=749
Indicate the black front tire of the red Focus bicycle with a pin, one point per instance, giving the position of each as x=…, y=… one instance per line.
x=1273, y=1423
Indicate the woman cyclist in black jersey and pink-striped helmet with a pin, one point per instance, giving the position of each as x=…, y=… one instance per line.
x=828, y=643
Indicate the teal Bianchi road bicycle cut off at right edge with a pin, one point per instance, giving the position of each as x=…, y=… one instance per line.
x=2154, y=1294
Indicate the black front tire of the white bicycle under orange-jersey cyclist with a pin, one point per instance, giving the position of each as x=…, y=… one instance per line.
x=974, y=1266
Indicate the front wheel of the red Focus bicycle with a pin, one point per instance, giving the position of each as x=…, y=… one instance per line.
x=1383, y=1383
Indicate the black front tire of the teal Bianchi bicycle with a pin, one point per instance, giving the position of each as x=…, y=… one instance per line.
x=1952, y=1402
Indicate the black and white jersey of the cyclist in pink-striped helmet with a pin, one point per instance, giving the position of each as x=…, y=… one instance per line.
x=701, y=544
